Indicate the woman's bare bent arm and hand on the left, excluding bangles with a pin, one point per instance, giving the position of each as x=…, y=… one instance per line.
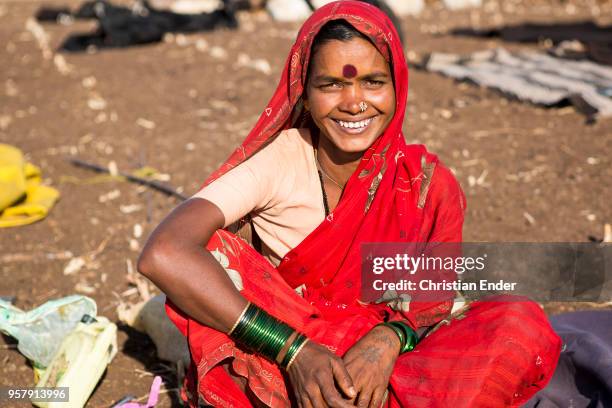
x=176, y=260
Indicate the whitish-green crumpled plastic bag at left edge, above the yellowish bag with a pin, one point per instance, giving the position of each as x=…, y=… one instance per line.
x=41, y=331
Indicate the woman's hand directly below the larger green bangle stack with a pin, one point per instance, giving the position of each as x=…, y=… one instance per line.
x=314, y=375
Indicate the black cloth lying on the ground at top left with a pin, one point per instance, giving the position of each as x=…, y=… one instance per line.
x=122, y=27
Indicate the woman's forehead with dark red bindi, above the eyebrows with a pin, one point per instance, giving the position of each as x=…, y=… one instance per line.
x=351, y=58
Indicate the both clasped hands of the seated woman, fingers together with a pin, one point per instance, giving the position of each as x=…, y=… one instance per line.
x=320, y=378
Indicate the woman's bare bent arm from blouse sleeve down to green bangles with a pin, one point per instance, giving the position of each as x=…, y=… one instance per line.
x=176, y=260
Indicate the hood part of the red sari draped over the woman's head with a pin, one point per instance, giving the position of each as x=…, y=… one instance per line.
x=285, y=107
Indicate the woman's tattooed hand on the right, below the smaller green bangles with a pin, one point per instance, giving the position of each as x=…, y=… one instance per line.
x=370, y=363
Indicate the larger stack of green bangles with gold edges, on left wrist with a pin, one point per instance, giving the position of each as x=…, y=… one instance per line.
x=266, y=335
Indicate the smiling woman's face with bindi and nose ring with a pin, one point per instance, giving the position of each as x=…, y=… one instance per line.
x=335, y=99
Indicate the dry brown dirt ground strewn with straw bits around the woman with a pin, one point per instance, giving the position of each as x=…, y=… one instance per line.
x=181, y=106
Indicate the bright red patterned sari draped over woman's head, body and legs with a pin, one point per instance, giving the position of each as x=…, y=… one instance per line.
x=493, y=354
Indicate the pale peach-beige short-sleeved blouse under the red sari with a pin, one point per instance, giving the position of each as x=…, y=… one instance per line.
x=280, y=187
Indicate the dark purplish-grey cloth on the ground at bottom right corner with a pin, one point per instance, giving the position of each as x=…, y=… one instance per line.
x=583, y=377
